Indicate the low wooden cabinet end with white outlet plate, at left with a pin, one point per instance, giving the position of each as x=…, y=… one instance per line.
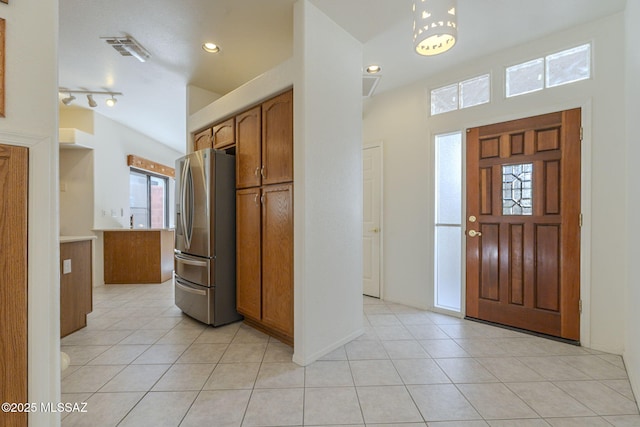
x=75, y=285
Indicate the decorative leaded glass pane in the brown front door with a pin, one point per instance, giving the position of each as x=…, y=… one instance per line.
x=517, y=187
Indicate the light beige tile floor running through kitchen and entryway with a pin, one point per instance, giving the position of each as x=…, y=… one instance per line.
x=141, y=362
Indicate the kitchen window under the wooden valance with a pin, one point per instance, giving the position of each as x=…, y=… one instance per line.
x=148, y=199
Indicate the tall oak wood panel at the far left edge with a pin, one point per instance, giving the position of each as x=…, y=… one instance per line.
x=13, y=280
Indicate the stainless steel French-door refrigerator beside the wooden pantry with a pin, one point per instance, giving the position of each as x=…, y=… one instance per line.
x=205, y=250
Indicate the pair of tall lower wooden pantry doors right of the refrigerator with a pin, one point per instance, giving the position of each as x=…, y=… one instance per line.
x=265, y=258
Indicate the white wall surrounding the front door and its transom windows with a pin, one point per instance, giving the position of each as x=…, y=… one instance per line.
x=401, y=118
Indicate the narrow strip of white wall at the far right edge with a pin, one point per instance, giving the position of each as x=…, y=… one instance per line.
x=632, y=347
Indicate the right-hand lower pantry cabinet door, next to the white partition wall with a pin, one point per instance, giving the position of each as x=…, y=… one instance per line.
x=277, y=258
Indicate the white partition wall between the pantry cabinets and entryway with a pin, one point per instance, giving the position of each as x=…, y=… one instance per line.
x=328, y=184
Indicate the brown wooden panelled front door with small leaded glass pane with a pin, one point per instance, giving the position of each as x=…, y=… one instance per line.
x=523, y=224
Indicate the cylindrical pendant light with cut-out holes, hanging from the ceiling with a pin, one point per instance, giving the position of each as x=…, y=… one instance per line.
x=435, y=26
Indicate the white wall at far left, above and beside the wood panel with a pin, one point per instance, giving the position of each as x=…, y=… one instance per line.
x=31, y=120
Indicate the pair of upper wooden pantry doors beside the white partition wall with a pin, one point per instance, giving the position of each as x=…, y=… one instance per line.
x=264, y=138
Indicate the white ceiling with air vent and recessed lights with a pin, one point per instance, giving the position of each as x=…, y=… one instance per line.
x=256, y=35
